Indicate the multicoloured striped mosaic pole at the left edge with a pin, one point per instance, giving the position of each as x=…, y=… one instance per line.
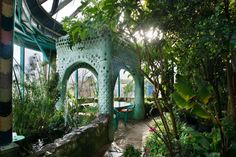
x=6, y=56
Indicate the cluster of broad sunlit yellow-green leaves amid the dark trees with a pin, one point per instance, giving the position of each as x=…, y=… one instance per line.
x=194, y=97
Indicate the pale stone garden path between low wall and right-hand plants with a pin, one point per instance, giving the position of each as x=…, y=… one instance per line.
x=134, y=134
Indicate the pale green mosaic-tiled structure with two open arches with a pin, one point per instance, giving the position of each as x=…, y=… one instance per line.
x=106, y=58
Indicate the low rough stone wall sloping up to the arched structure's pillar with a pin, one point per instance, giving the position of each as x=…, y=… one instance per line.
x=88, y=141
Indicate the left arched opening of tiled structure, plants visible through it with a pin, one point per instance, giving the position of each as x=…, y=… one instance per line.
x=81, y=98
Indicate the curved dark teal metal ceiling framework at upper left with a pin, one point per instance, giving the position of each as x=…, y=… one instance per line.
x=37, y=22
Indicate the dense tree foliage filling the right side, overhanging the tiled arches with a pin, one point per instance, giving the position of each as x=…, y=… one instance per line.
x=195, y=40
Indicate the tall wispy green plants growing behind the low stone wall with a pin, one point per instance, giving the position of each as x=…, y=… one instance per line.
x=36, y=115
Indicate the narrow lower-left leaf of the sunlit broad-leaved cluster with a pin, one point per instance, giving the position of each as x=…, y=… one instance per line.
x=181, y=102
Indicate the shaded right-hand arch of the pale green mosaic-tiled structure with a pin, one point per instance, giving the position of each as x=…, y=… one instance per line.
x=124, y=58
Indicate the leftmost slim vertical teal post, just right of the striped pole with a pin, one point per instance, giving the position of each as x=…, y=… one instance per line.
x=22, y=71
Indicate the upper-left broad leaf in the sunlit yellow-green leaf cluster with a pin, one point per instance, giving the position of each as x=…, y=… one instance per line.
x=184, y=88
